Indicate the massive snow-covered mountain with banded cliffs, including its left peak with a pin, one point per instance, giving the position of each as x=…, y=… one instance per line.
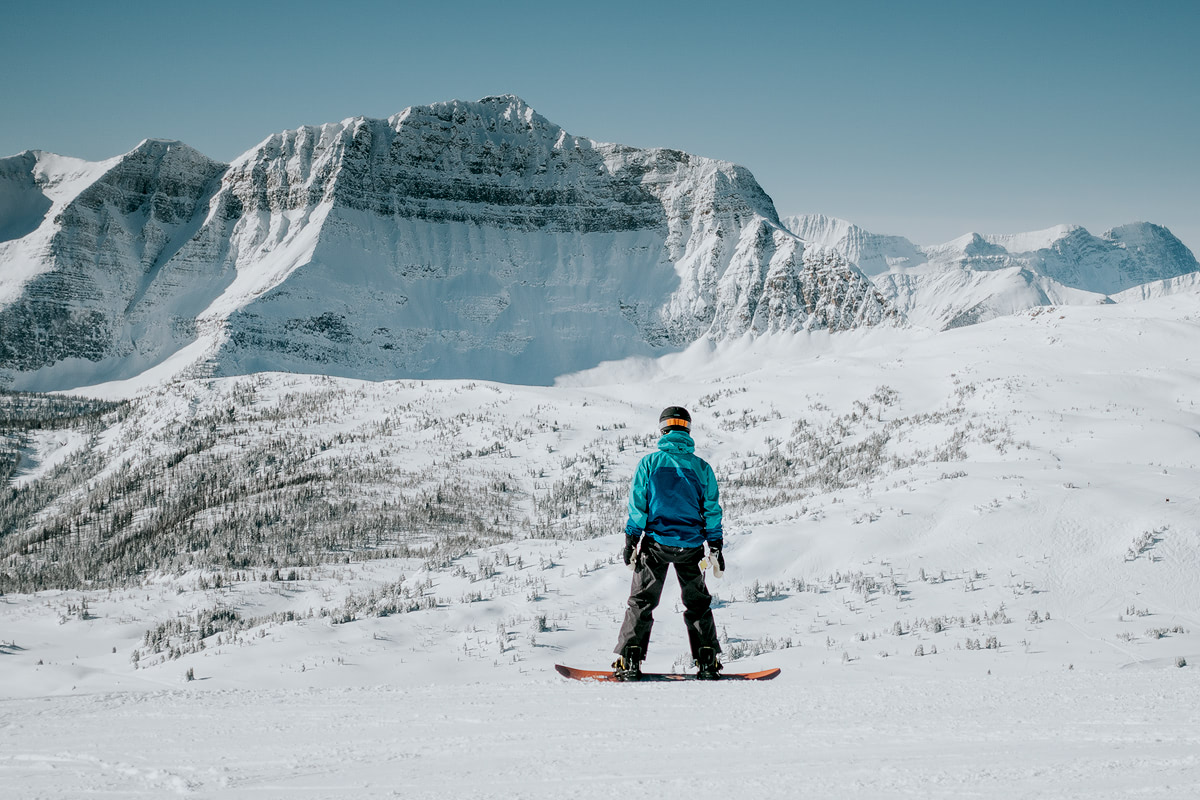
x=461, y=239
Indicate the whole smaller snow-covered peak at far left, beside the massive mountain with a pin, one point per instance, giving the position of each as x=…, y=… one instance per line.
x=91, y=273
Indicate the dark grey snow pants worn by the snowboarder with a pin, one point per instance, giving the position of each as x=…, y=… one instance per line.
x=650, y=576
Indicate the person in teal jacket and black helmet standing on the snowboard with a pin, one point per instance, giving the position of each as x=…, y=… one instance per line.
x=674, y=512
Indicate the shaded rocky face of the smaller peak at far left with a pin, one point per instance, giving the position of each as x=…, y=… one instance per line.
x=98, y=257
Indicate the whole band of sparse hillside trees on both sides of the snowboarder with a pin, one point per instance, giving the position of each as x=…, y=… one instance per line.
x=283, y=473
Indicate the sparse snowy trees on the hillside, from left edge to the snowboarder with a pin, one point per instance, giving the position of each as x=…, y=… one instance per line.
x=249, y=480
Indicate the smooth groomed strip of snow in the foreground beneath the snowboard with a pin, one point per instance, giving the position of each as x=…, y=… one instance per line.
x=818, y=733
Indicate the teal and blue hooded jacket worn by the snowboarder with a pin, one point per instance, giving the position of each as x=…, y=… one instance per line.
x=674, y=497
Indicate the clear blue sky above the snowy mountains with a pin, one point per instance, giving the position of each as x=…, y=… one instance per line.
x=922, y=119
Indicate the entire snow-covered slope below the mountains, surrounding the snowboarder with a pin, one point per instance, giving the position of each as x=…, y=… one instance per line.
x=975, y=555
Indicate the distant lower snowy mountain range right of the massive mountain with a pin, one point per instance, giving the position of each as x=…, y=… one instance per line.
x=979, y=278
